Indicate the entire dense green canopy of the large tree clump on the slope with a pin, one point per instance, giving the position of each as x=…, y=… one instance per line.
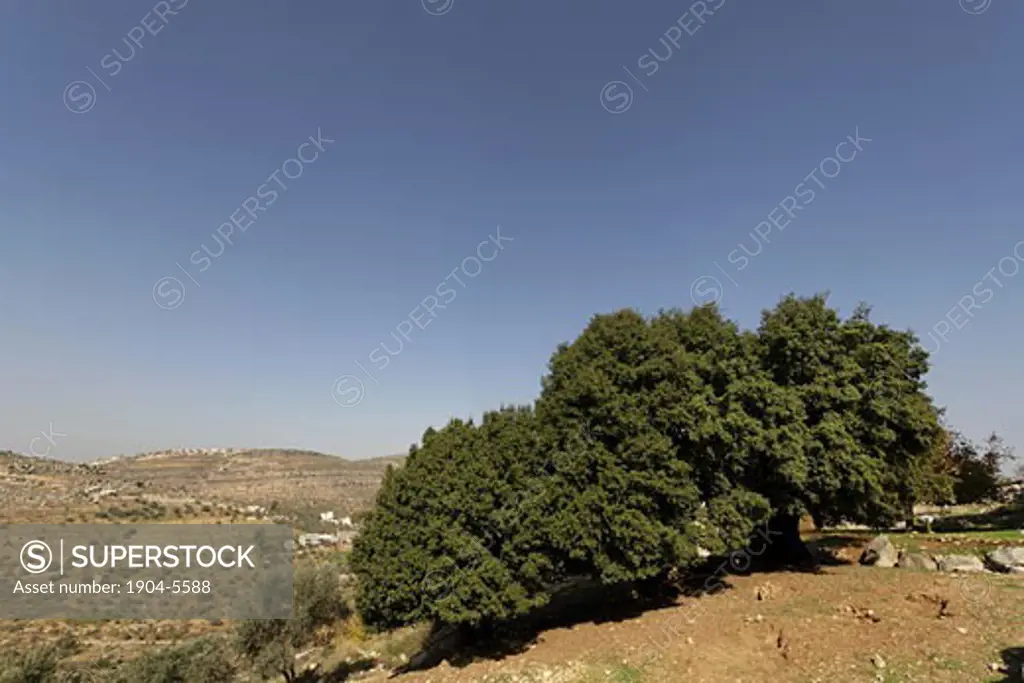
x=653, y=440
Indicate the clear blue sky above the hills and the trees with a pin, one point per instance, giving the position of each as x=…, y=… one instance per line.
x=448, y=120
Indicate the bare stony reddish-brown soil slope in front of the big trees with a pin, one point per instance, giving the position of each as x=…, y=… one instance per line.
x=848, y=624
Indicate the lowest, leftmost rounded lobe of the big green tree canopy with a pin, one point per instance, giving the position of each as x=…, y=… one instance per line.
x=453, y=537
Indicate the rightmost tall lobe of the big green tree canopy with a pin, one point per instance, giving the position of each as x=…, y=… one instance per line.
x=871, y=424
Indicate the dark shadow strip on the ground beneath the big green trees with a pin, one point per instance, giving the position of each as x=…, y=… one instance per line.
x=591, y=603
